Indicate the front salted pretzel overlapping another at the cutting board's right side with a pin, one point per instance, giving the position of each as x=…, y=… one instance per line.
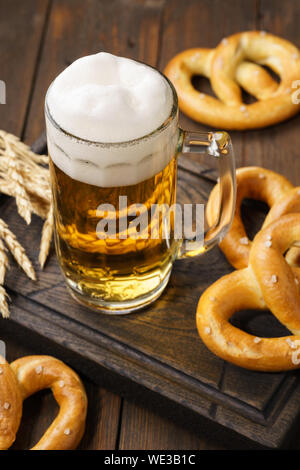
x=267, y=282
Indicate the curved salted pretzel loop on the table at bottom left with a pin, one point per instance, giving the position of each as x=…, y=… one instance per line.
x=35, y=373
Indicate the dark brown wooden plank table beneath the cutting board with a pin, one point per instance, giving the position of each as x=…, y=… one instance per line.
x=38, y=39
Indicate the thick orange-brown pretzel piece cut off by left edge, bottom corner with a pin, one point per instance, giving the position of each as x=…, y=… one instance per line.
x=10, y=405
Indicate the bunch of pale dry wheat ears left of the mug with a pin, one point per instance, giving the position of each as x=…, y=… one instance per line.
x=24, y=175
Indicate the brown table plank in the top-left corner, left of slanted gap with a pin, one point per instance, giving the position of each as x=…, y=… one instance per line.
x=21, y=29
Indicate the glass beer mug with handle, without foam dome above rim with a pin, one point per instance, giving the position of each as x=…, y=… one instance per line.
x=118, y=227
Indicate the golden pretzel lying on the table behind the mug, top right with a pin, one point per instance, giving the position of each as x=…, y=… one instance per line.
x=235, y=63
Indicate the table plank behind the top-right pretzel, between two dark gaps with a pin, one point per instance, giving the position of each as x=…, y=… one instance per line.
x=204, y=24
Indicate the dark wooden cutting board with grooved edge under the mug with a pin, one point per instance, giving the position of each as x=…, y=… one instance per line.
x=156, y=356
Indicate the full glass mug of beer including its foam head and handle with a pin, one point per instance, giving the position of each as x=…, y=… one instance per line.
x=113, y=141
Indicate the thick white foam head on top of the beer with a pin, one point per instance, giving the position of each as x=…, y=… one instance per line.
x=107, y=99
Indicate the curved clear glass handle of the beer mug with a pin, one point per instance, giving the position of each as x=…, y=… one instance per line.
x=216, y=145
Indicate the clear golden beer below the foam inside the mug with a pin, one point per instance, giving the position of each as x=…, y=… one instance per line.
x=115, y=270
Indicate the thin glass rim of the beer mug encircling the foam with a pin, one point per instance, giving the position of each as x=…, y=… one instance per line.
x=151, y=134
